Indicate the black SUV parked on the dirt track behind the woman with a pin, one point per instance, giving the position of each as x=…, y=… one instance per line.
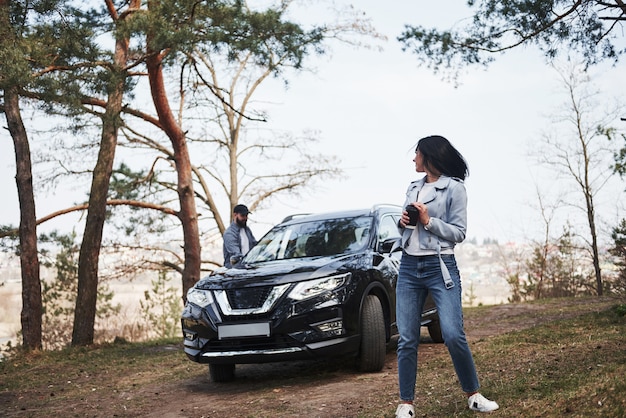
x=315, y=285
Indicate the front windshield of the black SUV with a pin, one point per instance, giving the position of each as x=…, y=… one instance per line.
x=312, y=239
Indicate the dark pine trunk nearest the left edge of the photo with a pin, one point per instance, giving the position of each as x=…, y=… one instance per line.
x=31, y=315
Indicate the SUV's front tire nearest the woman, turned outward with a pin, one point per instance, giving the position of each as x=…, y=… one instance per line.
x=373, y=337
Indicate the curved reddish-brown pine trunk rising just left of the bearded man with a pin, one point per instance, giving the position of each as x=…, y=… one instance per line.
x=188, y=214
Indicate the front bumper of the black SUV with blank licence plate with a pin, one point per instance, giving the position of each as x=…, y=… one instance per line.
x=307, y=330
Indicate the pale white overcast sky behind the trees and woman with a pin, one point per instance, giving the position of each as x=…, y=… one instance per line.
x=372, y=106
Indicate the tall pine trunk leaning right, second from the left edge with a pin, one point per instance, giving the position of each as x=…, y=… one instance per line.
x=86, y=300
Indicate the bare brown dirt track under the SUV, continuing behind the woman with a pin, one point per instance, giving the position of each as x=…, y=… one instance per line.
x=321, y=388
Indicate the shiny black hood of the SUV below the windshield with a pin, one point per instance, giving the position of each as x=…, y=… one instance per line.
x=278, y=272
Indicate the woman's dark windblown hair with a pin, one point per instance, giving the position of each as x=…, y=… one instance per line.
x=439, y=154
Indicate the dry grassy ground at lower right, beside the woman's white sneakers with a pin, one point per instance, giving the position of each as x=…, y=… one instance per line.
x=573, y=368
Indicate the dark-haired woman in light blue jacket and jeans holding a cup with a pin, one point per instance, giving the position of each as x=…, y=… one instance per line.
x=428, y=265
